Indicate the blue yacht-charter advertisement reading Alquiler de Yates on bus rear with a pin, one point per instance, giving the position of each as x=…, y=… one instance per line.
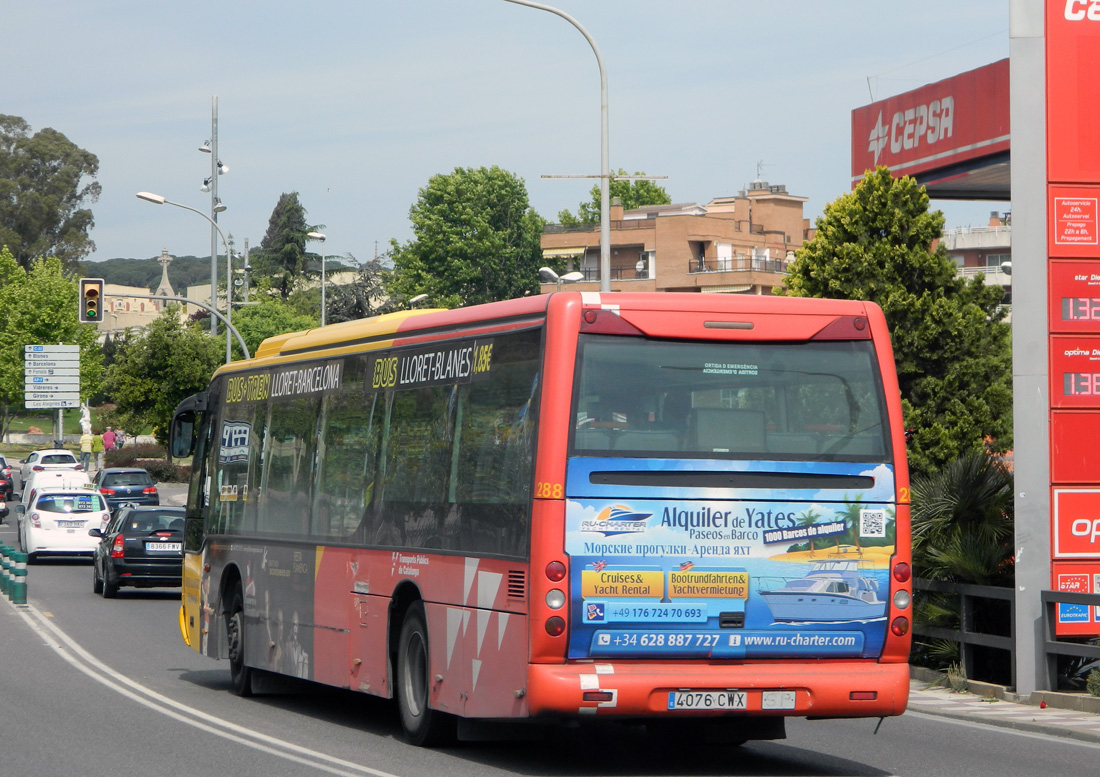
x=721, y=578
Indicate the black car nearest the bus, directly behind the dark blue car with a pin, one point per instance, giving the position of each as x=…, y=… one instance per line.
x=142, y=548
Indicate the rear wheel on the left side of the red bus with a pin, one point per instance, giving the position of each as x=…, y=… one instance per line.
x=424, y=727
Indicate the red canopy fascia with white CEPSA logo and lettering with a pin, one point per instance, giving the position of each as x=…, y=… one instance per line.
x=958, y=119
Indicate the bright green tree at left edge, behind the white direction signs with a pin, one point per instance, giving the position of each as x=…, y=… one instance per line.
x=38, y=308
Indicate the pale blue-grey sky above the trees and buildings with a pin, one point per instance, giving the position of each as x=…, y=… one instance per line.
x=357, y=104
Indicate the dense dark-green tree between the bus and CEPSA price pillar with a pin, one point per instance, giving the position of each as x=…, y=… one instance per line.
x=952, y=346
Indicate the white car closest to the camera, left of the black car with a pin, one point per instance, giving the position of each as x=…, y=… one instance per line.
x=58, y=521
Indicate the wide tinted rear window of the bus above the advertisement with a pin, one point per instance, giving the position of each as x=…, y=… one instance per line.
x=806, y=401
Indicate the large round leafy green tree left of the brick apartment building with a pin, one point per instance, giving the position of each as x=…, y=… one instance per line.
x=477, y=240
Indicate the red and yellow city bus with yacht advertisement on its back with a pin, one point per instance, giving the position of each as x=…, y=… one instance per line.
x=685, y=510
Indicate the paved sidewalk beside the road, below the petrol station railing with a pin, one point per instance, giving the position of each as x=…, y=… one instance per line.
x=994, y=706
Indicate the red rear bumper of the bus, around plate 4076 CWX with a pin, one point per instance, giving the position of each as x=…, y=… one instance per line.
x=815, y=691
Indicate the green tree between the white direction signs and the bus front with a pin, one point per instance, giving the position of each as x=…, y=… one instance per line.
x=157, y=369
